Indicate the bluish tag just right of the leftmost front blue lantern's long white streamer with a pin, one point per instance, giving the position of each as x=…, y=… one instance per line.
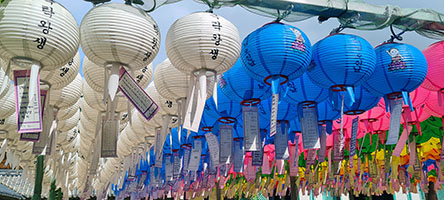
x=281, y=141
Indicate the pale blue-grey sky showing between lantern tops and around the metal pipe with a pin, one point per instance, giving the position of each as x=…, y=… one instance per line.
x=247, y=22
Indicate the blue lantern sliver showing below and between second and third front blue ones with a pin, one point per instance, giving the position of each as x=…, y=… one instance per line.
x=363, y=101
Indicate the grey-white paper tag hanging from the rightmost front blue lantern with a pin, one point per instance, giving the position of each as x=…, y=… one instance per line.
x=395, y=121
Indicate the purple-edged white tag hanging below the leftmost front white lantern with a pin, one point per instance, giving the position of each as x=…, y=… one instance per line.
x=29, y=110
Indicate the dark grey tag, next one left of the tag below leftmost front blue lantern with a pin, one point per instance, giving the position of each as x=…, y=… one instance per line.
x=226, y=143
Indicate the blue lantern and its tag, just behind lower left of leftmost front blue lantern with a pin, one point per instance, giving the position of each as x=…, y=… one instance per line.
x=238, y=86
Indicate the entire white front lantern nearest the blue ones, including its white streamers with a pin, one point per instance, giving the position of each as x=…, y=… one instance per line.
x=201, y=45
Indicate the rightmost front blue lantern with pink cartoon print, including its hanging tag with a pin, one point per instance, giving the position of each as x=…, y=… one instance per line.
x=400, y=69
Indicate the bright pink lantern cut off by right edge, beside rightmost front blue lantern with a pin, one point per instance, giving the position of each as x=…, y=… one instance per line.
x=435, y=59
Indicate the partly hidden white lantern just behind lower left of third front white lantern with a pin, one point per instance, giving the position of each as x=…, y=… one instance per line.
x=170, y=82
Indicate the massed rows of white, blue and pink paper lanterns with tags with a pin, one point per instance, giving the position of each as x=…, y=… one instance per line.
x=308, y=85
